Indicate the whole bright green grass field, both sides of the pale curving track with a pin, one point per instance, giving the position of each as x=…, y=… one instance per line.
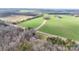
x=67, y=26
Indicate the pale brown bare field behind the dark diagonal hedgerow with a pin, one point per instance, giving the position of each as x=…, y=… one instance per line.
x=15, y=18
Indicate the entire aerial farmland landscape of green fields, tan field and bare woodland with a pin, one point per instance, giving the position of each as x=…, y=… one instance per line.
x=39, y=30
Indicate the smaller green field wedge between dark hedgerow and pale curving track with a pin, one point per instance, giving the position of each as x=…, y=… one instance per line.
x=32, y=23
